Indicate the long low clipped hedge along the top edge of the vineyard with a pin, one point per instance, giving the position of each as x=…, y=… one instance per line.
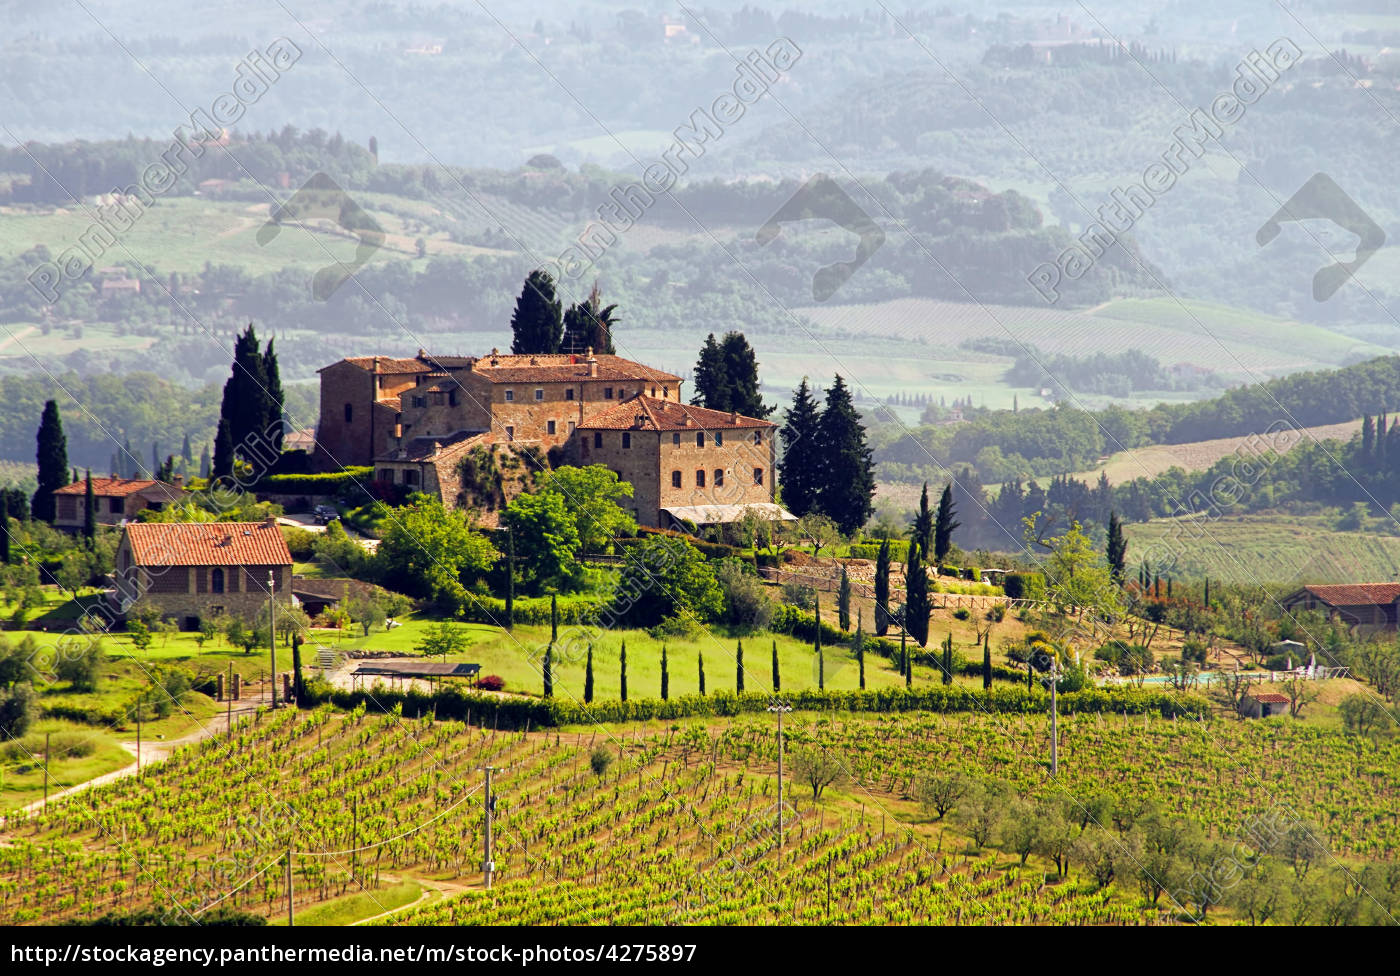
x=537, y=713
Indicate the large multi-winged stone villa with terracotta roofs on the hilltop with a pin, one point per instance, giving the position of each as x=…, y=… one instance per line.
x=435, y=424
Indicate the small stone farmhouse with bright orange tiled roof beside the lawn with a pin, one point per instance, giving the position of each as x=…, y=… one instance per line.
x=195, y=571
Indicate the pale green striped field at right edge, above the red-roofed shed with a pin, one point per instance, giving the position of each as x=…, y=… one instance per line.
x=1263, y=548
